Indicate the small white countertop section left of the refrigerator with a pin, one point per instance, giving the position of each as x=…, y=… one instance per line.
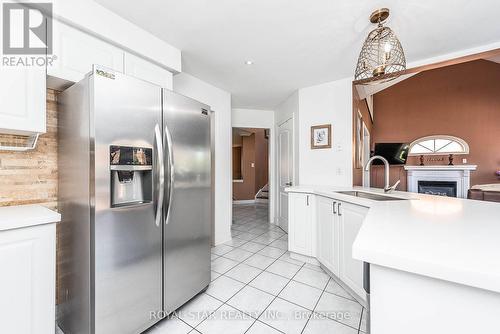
x=12, y=217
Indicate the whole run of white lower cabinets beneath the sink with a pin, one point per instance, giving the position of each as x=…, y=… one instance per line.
x=326, y=229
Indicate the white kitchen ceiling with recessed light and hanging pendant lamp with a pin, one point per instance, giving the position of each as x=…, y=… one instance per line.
x=299, y=43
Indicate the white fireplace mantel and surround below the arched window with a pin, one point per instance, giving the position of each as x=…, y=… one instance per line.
x=455, y=173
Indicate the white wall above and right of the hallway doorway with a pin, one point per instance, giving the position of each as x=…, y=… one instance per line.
x=256, y=118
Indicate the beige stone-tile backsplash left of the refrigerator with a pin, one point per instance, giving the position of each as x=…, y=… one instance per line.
x=31, y=177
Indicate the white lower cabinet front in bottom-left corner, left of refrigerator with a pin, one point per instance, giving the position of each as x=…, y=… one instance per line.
x=27, y=282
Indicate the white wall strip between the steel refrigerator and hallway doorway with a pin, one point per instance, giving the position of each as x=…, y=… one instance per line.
x=220, y=102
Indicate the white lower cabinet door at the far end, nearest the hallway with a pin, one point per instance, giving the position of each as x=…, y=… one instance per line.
x=301, y=227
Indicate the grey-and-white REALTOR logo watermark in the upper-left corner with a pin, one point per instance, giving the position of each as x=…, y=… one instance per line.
x=27, y=34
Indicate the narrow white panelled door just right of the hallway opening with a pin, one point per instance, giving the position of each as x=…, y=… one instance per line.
x=285, y=170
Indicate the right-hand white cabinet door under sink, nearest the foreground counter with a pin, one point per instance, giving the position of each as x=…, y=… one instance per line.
x=351, y=218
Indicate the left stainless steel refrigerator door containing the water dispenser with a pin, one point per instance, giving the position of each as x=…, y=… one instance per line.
x=128, y=203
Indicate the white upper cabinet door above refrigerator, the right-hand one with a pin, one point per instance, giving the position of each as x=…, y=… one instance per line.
x=145, y=70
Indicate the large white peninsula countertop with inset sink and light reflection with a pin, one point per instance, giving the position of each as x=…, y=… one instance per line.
x=453, y=239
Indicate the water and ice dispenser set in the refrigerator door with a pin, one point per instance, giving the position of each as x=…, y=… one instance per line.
x=131, y=175
